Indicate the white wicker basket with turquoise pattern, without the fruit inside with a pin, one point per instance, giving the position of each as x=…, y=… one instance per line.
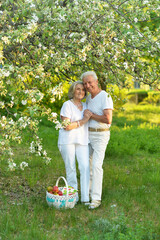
x=59, y=202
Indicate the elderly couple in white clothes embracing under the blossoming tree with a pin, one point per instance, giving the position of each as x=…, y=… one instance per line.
x=86, y=137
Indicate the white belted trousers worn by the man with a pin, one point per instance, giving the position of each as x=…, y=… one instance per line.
x=97, y=148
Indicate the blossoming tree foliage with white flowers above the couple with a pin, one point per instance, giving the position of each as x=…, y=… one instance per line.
x=44, y=43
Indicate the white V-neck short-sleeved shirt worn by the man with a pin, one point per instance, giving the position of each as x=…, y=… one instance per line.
x=96, y=105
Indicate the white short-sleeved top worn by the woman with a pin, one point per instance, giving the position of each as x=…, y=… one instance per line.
x=78, y=135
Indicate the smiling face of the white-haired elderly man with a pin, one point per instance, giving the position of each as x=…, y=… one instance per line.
x=90, y=84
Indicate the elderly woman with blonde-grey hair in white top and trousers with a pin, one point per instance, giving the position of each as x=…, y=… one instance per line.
x=73, y=139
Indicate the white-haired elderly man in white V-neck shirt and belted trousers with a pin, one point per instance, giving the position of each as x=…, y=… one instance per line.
x=101, y=105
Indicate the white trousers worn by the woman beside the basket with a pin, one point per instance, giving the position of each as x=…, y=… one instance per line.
x=71, y=152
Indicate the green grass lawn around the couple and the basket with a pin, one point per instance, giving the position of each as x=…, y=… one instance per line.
x=131, y=188
